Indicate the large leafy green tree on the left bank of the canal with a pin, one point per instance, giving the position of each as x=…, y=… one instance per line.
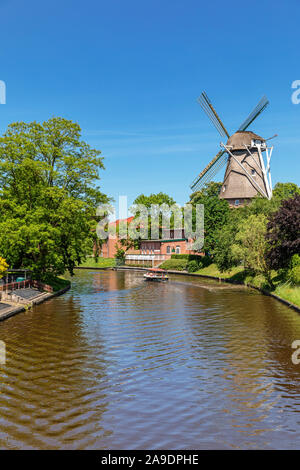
x=49, y=196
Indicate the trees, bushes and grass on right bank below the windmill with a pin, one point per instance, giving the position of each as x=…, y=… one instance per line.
x=257, y=244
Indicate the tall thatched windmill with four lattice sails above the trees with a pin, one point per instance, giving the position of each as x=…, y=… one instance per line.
x=246, y=155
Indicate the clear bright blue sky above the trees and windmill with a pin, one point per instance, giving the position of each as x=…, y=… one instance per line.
x=129, y=73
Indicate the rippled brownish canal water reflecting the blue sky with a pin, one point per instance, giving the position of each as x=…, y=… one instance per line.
x=119, y=363
